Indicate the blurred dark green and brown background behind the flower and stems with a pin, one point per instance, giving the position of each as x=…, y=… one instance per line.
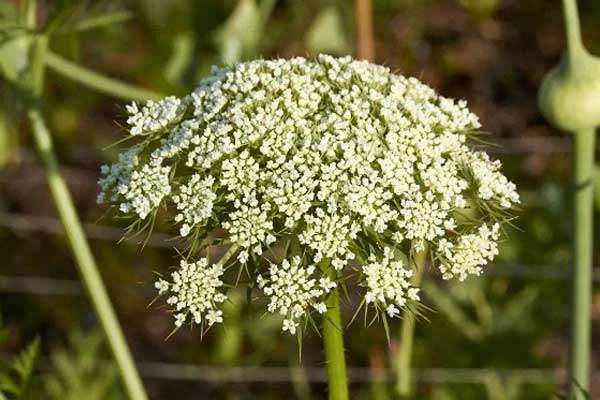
x=501, y=336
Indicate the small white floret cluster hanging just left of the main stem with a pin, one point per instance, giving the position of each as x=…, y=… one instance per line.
x=293, y=289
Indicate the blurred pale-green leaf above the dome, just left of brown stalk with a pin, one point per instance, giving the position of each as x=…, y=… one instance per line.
x=326, y=34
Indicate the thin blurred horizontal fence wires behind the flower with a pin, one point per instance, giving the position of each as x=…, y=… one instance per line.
x=37, y=285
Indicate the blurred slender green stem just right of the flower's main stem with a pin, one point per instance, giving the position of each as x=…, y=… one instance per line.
x=407, y=330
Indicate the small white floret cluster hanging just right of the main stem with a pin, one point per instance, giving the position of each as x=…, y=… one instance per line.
x=388, y=283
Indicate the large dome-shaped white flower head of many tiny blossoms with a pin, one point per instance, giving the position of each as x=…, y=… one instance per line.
x=333, y=152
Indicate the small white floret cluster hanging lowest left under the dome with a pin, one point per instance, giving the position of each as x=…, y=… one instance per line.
x=194, y=292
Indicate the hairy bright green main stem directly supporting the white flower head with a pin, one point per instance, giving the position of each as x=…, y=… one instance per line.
x=333, y=340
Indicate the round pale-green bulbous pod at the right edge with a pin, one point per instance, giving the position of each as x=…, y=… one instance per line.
x=569, y=97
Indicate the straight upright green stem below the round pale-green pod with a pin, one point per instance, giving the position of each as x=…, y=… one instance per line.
x=583, y=175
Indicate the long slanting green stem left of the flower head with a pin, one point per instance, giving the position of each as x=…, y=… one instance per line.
x=74, y=232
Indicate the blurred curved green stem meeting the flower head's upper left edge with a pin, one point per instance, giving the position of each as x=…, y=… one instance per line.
x=97, y=81
